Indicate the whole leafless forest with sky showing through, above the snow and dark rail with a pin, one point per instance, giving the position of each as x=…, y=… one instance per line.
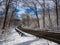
x=43, y=15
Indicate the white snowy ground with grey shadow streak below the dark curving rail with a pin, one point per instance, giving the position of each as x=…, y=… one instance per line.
x=11, y=37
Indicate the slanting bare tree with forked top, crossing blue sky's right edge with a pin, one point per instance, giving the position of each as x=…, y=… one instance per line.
x=34, y=7
